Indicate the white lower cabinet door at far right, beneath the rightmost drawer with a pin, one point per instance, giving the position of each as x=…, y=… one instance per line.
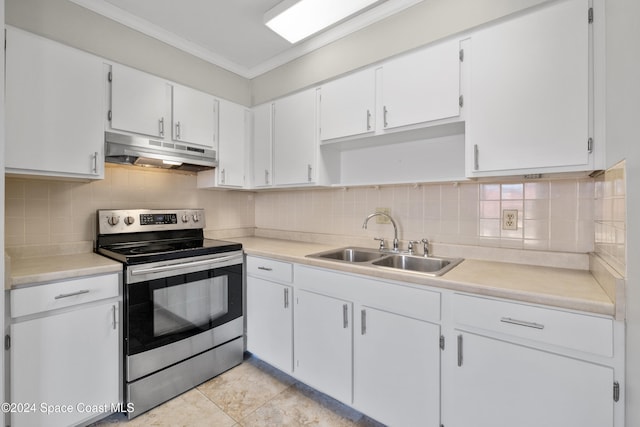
x=500, y=384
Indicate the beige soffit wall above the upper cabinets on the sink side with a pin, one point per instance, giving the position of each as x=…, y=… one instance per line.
x=416, y=26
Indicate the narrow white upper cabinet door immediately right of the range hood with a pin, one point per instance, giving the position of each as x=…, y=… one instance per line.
x=233, y=134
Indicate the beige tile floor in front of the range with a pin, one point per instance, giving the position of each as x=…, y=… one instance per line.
x=252, y=394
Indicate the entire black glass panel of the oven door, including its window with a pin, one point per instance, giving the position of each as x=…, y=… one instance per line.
x=169, y=309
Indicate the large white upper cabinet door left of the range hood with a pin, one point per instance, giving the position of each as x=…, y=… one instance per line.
x=54, y=108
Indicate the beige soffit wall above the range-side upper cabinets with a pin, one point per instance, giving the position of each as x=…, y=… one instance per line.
x=76, y=26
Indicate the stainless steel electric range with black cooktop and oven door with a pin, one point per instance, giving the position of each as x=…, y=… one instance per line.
x=183, y=301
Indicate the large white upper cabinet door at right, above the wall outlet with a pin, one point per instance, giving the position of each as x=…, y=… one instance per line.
x=530, y=91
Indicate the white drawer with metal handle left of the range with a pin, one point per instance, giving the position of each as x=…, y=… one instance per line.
x=52, y=296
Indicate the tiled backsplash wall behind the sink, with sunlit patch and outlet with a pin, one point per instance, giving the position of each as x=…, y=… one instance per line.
x=552, y=215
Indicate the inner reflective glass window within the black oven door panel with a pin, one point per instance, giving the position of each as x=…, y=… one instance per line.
x=183, y=307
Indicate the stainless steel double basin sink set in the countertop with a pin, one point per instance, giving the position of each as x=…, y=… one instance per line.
x=432, y=266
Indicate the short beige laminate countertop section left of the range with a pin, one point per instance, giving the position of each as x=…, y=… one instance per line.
x=27, y=271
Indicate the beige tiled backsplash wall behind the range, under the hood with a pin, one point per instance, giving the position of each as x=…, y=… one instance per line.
x=40, y=212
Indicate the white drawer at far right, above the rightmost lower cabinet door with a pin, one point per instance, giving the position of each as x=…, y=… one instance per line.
x=582, y=332
